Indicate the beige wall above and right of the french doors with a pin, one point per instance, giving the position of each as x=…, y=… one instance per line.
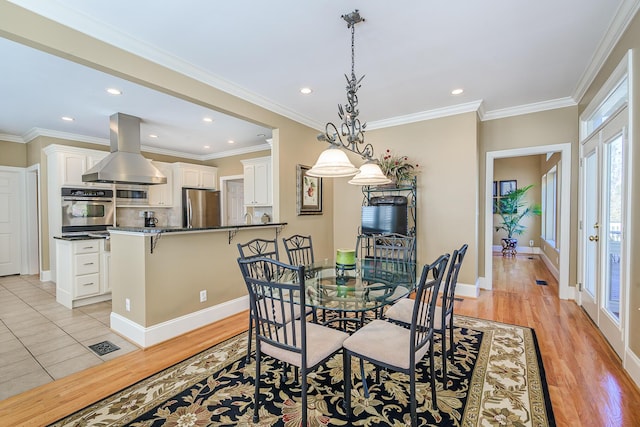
x=629, y=40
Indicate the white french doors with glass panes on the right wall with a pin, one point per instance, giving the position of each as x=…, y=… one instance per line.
x=603, y=184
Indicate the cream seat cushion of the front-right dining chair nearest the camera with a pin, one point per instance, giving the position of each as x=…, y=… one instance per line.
x=384, y=342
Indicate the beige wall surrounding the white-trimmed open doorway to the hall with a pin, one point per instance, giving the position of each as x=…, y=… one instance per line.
x=550, y=127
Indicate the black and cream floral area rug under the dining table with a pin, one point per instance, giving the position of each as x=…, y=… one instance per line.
x=497, y=380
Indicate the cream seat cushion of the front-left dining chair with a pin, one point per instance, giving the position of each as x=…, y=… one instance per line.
x=321, y=343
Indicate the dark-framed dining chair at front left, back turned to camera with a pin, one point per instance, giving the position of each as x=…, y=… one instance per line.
x=302, y=344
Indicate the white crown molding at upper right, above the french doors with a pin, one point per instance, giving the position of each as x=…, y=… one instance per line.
x=619, y=24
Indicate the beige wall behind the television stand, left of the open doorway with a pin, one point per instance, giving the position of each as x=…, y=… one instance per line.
x=446, y=151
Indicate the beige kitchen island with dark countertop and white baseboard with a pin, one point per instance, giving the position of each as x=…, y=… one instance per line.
x=167, y=281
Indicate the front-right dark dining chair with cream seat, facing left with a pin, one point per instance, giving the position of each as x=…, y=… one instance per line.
x=395, y=347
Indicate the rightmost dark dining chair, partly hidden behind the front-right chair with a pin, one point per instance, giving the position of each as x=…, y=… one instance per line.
x=401, y=311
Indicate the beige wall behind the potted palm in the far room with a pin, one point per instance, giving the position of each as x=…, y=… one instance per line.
x=526, y=171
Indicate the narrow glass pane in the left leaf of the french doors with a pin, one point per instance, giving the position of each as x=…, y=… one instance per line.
x=591, y=218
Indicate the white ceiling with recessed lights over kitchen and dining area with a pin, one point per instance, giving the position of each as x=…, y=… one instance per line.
x=509, y=56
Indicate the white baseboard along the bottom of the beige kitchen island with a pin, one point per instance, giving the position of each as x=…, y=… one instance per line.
x=146, y=337
